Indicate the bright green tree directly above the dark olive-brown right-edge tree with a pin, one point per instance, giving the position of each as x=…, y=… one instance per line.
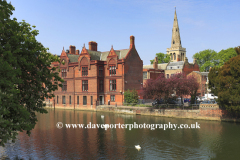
x=225, y=55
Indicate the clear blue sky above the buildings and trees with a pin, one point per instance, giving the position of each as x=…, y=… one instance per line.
x=203, y=24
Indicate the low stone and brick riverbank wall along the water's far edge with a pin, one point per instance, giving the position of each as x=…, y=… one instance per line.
x=205, y=112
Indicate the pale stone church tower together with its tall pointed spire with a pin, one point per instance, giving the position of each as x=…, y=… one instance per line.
x=177, y=52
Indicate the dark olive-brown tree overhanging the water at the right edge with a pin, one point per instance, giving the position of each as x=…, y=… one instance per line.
x=224, y=82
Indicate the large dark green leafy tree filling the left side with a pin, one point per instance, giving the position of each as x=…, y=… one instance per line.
x=26, y=76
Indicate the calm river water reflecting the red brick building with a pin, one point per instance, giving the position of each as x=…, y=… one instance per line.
x=213, y=140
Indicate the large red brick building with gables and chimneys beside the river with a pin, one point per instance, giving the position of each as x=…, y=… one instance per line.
x=95, y=78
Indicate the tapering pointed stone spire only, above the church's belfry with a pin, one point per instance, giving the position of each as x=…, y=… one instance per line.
x=176, y=40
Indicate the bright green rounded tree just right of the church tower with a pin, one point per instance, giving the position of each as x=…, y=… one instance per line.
x=206, y=59
